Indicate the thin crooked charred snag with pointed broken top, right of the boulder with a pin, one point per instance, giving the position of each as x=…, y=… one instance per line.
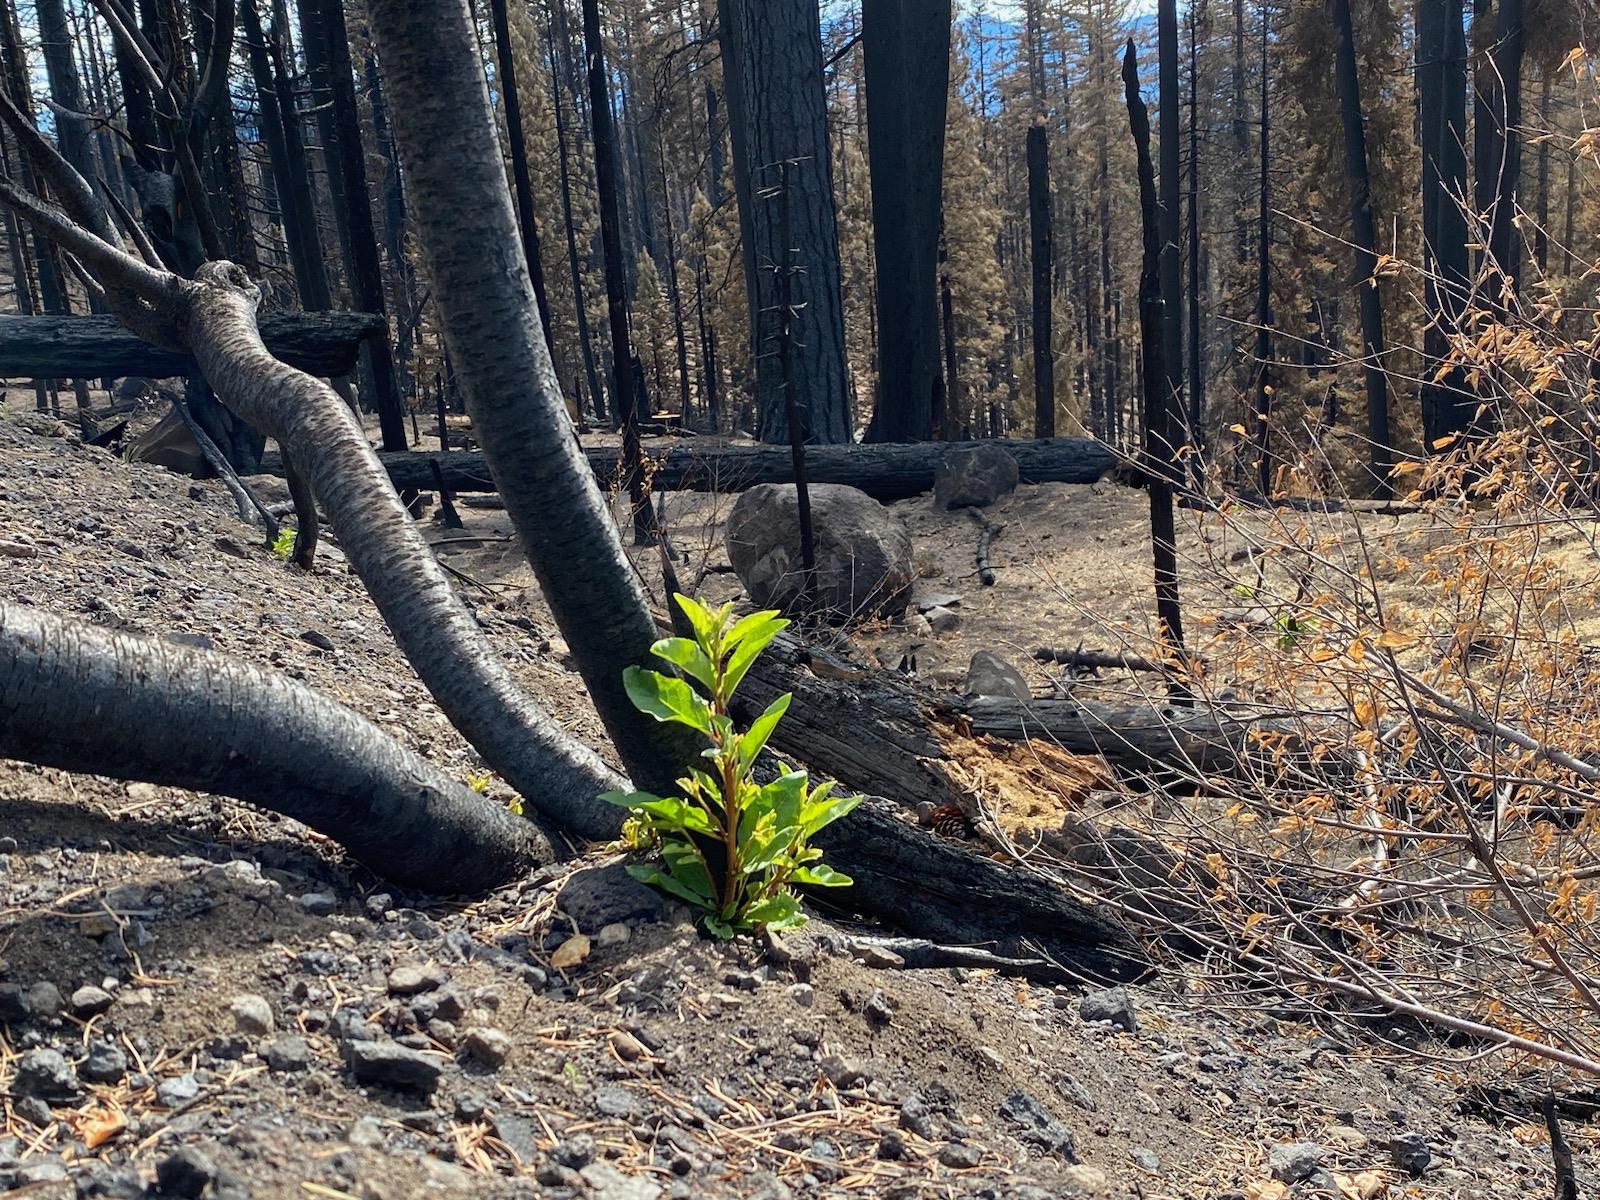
x=1159, y=399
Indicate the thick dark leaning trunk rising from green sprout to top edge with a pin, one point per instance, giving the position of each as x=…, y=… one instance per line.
x=468, y=233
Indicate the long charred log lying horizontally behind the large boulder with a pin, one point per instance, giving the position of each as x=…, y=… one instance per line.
x=886, y=473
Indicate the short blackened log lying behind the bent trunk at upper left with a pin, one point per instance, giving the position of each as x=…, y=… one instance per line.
x=92, y=348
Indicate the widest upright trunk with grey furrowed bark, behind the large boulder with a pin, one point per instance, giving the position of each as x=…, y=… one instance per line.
x=772, y=63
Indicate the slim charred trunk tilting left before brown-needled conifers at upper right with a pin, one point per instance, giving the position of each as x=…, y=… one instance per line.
x=1364, y=234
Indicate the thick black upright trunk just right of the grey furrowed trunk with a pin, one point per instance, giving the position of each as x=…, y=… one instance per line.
x=906, y=50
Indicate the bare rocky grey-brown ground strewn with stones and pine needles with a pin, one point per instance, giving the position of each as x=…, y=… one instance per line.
x=199, y=999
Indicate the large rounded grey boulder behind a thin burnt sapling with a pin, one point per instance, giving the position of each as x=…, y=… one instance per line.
x=863, y=551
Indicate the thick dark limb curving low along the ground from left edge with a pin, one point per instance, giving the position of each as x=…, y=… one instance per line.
x=87, y=700
